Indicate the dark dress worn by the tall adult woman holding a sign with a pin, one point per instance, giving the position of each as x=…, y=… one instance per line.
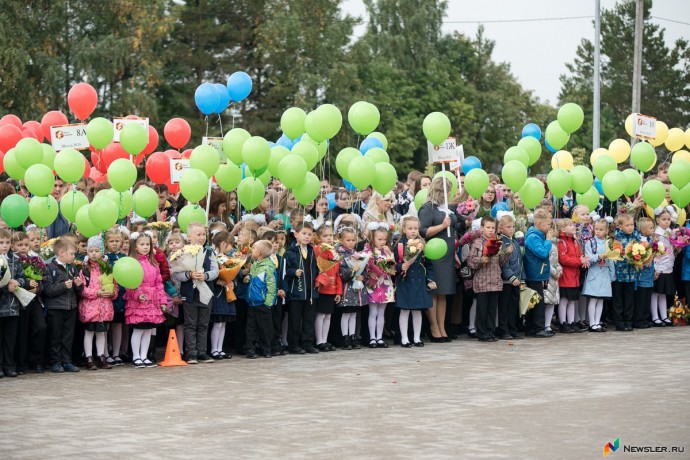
x=444, y=268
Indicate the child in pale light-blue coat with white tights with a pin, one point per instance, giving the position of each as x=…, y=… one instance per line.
x=600, y=275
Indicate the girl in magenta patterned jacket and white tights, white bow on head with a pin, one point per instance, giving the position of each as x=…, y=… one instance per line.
x=380, y=286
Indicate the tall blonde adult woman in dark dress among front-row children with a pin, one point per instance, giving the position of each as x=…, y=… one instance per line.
x=435, y=219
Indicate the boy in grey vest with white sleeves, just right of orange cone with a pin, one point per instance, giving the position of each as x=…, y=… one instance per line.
x=197, y=314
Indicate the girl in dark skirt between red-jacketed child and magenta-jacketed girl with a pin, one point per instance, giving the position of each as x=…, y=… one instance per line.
x=352, y=275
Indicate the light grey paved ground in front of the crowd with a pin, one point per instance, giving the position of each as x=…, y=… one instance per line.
x=556, y=398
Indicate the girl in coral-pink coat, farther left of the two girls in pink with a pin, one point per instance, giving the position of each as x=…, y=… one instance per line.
x=95, y=306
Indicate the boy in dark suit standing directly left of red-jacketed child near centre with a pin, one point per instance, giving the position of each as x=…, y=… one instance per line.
x=300, y=274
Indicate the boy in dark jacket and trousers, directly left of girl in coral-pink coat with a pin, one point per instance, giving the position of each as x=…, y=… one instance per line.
x=61, y=289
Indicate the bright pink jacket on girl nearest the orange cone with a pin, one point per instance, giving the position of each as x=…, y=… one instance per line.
x=148, y=311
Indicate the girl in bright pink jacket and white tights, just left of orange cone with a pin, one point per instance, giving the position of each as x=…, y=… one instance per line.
x=145, y=304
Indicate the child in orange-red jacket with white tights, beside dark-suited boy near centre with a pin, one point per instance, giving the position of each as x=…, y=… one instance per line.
x=328, y=284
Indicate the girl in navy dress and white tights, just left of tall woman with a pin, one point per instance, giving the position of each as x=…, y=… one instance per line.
x=415, y=278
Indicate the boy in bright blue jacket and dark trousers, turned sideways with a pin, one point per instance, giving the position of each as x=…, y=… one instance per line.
x=538, y=269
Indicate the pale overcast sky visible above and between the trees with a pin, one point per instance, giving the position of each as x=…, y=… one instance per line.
x=537, y=51
